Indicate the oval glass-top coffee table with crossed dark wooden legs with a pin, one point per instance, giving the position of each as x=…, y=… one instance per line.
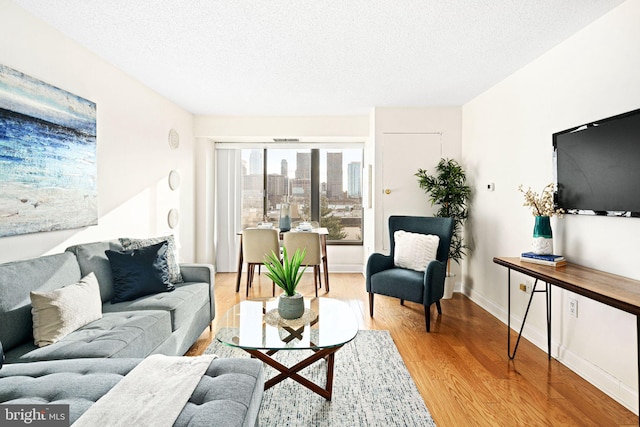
x=256, y=327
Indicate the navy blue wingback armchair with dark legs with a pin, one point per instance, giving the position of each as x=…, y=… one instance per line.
x=422, y=287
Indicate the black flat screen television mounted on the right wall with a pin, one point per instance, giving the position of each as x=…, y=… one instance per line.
x=597, y=167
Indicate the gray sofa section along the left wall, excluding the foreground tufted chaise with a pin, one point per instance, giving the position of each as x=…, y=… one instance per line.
x=166, y=323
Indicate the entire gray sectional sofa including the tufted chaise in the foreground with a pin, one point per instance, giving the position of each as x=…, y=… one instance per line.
x=83, y=365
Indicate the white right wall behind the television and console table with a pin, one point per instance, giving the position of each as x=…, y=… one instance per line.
x=507, y=140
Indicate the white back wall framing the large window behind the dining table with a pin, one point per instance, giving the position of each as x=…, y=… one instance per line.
x=210, y=129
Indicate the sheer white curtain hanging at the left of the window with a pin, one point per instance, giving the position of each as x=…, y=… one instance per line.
x=228, y=208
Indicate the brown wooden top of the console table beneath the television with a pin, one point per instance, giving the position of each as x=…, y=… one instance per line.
x=616, y=291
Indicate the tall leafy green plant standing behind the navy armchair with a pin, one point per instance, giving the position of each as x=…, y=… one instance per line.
x=448, y=189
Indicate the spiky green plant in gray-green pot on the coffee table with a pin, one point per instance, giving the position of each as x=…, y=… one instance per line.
x=286, y=274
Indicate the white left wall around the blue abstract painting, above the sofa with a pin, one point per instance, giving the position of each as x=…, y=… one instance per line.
x=133, y=123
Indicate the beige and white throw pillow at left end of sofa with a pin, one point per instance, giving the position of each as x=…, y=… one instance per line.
x=62, y=311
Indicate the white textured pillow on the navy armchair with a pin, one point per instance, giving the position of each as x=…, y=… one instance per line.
x=413, y=250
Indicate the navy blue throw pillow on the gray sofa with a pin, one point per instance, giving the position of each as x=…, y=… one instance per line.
x=139, y=272
